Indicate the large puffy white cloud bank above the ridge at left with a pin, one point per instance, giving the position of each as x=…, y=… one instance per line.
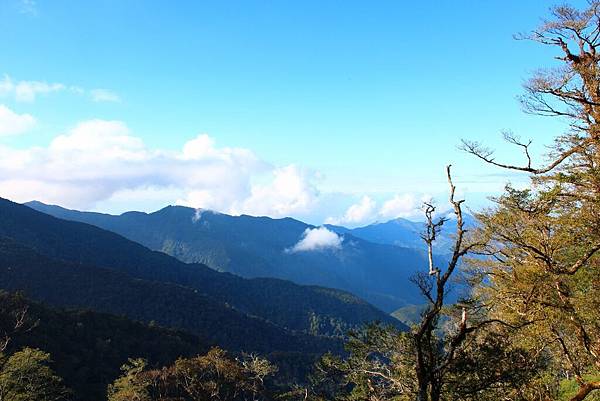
x=101, y=164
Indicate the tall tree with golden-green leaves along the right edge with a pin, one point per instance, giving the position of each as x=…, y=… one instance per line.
x=542, y=270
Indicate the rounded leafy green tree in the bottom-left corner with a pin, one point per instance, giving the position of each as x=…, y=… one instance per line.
x=26, y=376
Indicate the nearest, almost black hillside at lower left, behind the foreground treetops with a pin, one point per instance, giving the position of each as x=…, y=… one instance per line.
x=89, y=347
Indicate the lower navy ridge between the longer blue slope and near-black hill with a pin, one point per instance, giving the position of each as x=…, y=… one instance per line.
x=77, y=285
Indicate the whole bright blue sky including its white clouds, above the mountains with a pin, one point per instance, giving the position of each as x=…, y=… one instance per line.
x=305, y=108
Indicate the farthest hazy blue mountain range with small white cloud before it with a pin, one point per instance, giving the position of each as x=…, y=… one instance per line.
x=375, y=262
